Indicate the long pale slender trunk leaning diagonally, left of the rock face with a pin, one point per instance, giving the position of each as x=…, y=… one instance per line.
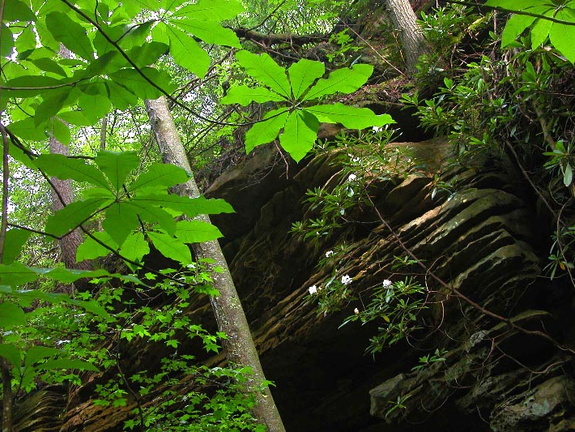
x=227, y=308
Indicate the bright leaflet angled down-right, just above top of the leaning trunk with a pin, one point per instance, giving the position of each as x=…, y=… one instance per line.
x=187, y=53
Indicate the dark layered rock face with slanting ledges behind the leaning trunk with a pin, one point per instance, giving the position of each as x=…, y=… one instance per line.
x=481, y=264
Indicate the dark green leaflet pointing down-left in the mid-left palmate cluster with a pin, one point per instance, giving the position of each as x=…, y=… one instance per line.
x=73, y=215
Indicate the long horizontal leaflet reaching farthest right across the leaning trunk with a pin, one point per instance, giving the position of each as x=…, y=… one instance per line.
x=189, y=206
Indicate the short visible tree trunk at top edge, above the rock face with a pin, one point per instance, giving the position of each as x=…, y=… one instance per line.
x=412, y=41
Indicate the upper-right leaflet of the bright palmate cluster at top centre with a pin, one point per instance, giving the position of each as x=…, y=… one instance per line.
x=344, y=80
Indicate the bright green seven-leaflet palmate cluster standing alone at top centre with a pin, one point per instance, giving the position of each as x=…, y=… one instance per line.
x=295, y=89
